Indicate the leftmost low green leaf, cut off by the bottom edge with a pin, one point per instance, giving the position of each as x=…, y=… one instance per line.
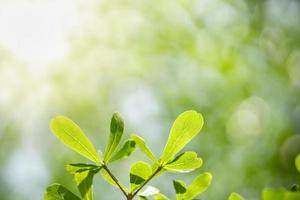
x=59, y=192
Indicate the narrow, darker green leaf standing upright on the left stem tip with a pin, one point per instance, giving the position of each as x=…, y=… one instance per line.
x=116, y=132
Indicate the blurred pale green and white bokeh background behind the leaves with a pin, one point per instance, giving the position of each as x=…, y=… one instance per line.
x=235, y=61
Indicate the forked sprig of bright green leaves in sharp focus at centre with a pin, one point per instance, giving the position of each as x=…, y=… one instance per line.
x=185, y=128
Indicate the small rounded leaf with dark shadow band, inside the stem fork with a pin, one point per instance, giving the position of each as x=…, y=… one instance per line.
x=139, y=173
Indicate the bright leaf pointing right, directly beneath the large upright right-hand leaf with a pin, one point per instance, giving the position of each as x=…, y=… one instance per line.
x=185, y=162
